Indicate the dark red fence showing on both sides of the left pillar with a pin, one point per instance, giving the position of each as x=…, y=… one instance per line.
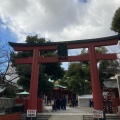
x=25, y=103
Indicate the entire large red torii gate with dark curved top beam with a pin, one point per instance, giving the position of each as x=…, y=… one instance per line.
x=91, y=56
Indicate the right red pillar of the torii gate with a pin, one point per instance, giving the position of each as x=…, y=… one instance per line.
x=97, y=97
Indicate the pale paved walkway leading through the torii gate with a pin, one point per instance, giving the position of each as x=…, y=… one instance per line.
x=71, y=113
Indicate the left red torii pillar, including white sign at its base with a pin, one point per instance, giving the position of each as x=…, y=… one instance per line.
x=32, y=103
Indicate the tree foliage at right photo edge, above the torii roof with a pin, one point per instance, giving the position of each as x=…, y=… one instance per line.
x=115, y=25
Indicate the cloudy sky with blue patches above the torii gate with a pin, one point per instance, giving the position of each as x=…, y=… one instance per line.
x=57, y=20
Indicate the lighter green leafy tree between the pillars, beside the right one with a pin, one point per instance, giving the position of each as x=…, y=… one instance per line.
x=79, y=76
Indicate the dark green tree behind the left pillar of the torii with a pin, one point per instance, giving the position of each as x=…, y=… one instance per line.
x=48, y=70
